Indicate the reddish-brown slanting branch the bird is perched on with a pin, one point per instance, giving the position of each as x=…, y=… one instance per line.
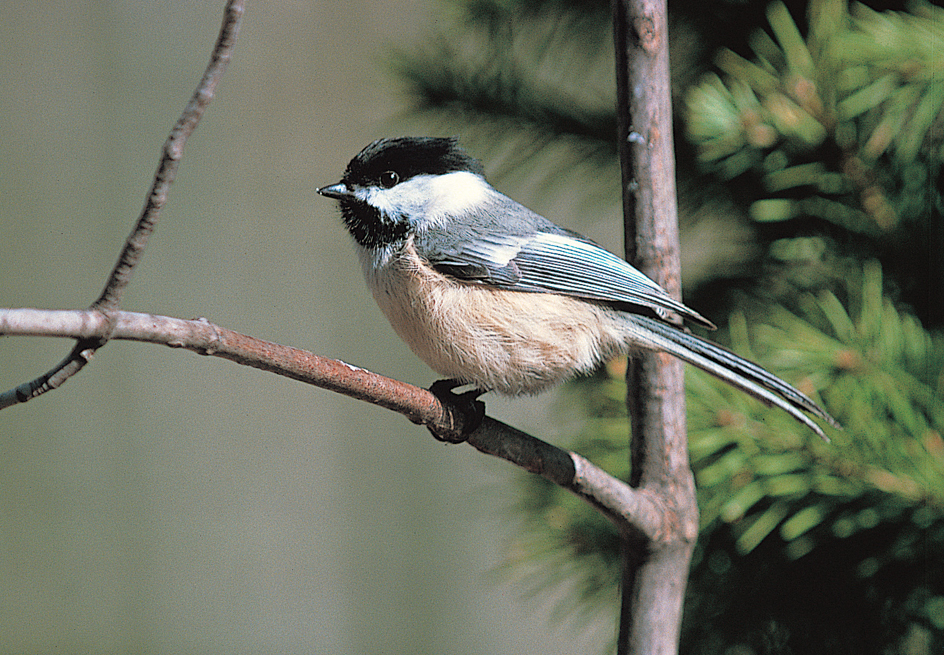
x=632, y=510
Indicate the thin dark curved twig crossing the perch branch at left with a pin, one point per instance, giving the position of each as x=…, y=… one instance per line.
x=133, y=250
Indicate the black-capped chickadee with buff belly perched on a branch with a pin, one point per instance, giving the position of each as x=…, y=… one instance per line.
x=491, y=294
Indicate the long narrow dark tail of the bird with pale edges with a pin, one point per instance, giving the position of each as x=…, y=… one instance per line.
x=724, y=364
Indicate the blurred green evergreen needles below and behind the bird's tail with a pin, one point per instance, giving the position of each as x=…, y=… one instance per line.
x=866, y=510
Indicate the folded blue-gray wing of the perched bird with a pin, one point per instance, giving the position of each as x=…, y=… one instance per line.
x=552, y=260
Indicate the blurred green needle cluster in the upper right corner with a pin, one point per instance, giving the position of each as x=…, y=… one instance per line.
x=844, y=125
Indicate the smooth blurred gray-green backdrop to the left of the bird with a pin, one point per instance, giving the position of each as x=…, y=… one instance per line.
x=161, y=502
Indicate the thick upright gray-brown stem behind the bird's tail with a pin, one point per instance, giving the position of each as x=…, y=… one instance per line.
x=655, y=572
